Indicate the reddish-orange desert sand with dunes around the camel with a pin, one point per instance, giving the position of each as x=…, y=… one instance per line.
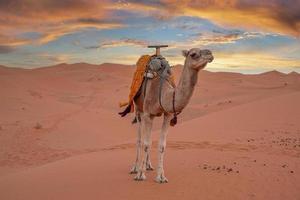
x=61, y=137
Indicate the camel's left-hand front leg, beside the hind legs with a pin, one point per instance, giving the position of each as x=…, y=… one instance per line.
x=145, y=148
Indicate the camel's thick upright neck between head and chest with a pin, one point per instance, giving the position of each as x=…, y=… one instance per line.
x=185, y=88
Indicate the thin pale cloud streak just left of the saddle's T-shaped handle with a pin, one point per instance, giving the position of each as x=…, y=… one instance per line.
x=120, y=43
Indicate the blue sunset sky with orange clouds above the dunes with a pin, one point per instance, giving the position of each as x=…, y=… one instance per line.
x=248, y=36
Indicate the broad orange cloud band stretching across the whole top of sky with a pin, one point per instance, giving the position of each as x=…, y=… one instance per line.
x=54, y=19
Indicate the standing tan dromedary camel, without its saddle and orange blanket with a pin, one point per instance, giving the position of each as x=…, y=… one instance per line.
x=173, y=99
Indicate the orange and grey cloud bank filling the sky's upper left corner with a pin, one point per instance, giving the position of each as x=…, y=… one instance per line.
x=52, y=19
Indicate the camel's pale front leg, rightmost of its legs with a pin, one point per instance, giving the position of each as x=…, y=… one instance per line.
x=160, y=178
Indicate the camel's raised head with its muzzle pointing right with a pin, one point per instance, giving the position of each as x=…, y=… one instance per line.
x=196, y=58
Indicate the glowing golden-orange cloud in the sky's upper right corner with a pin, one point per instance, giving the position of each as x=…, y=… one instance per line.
x=267, y=15
